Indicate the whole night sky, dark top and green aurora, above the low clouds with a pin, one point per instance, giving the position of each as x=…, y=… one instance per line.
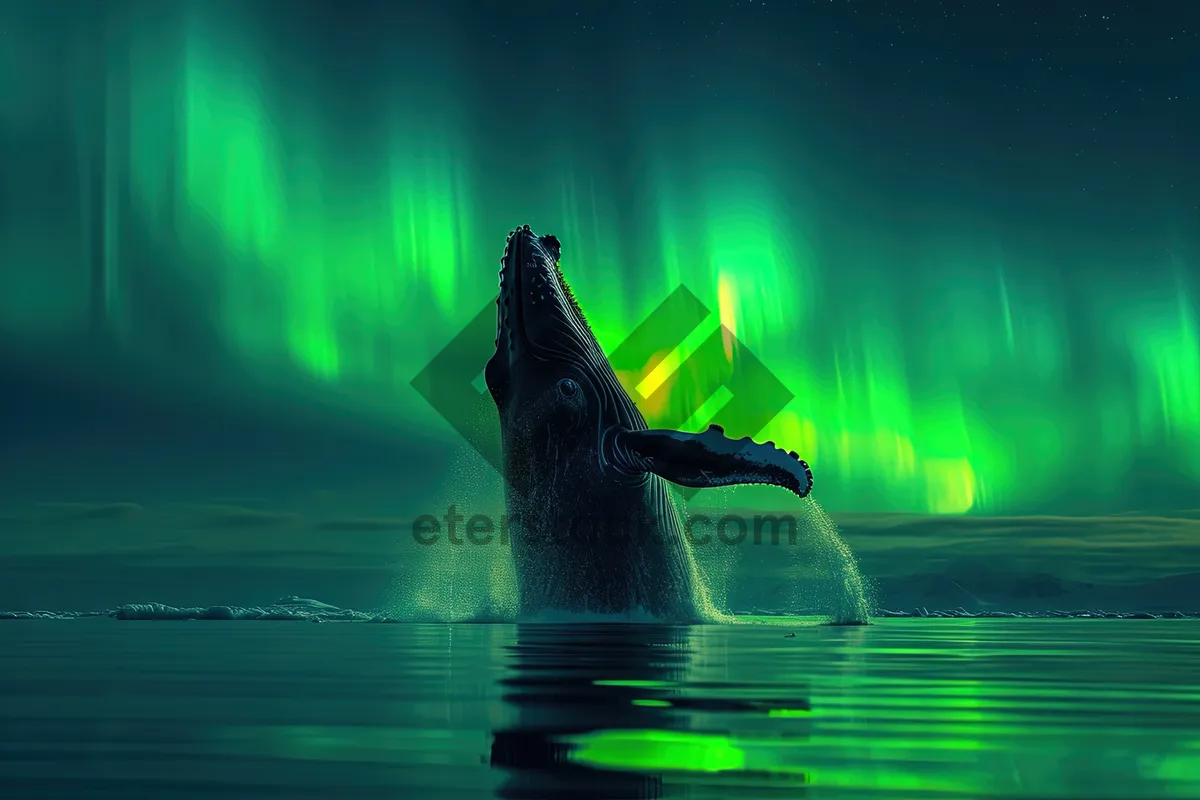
x=980, y=276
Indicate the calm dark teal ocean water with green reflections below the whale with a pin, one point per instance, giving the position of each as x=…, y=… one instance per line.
x=904, y=708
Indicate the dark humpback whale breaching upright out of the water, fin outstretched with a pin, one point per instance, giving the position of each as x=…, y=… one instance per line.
x=592, y=526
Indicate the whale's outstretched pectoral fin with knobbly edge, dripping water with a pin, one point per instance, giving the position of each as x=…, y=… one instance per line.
x=711, y=459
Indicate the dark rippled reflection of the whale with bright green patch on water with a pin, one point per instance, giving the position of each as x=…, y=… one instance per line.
x=608, y=711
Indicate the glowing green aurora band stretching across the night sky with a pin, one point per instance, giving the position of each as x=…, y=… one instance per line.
x=334, y=242
